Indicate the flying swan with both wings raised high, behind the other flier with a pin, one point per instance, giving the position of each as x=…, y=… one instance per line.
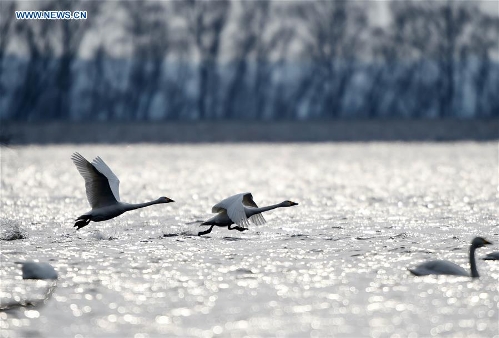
x=103, y=194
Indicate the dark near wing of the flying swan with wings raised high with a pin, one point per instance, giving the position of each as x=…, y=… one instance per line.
x=99, y=193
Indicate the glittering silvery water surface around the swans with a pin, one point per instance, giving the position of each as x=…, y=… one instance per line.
x=336, y=265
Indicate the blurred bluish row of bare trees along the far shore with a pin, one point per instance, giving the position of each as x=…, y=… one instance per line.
x=263, y=60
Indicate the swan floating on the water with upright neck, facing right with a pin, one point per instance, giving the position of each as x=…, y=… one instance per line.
x=440, y=267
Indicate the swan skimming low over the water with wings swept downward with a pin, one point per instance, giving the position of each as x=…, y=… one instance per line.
x=239, y=209
